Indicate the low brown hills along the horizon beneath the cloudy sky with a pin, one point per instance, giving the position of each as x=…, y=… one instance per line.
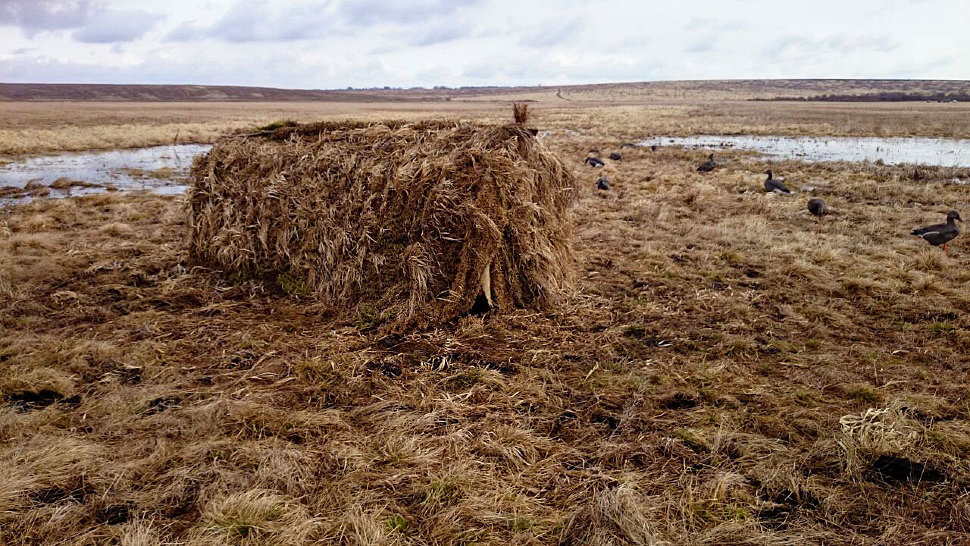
x=854, y=90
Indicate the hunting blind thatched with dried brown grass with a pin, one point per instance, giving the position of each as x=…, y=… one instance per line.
x=417, y=220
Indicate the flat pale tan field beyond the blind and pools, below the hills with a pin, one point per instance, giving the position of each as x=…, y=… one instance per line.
x=44, y=127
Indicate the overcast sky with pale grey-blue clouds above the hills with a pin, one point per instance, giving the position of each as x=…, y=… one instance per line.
x=362, y=43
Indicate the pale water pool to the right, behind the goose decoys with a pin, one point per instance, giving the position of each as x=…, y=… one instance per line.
x=943, y=152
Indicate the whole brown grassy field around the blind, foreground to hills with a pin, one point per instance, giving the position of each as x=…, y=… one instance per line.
x=728, y=370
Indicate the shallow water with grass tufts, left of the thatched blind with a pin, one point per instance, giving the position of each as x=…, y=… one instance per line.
x=160, y=169
